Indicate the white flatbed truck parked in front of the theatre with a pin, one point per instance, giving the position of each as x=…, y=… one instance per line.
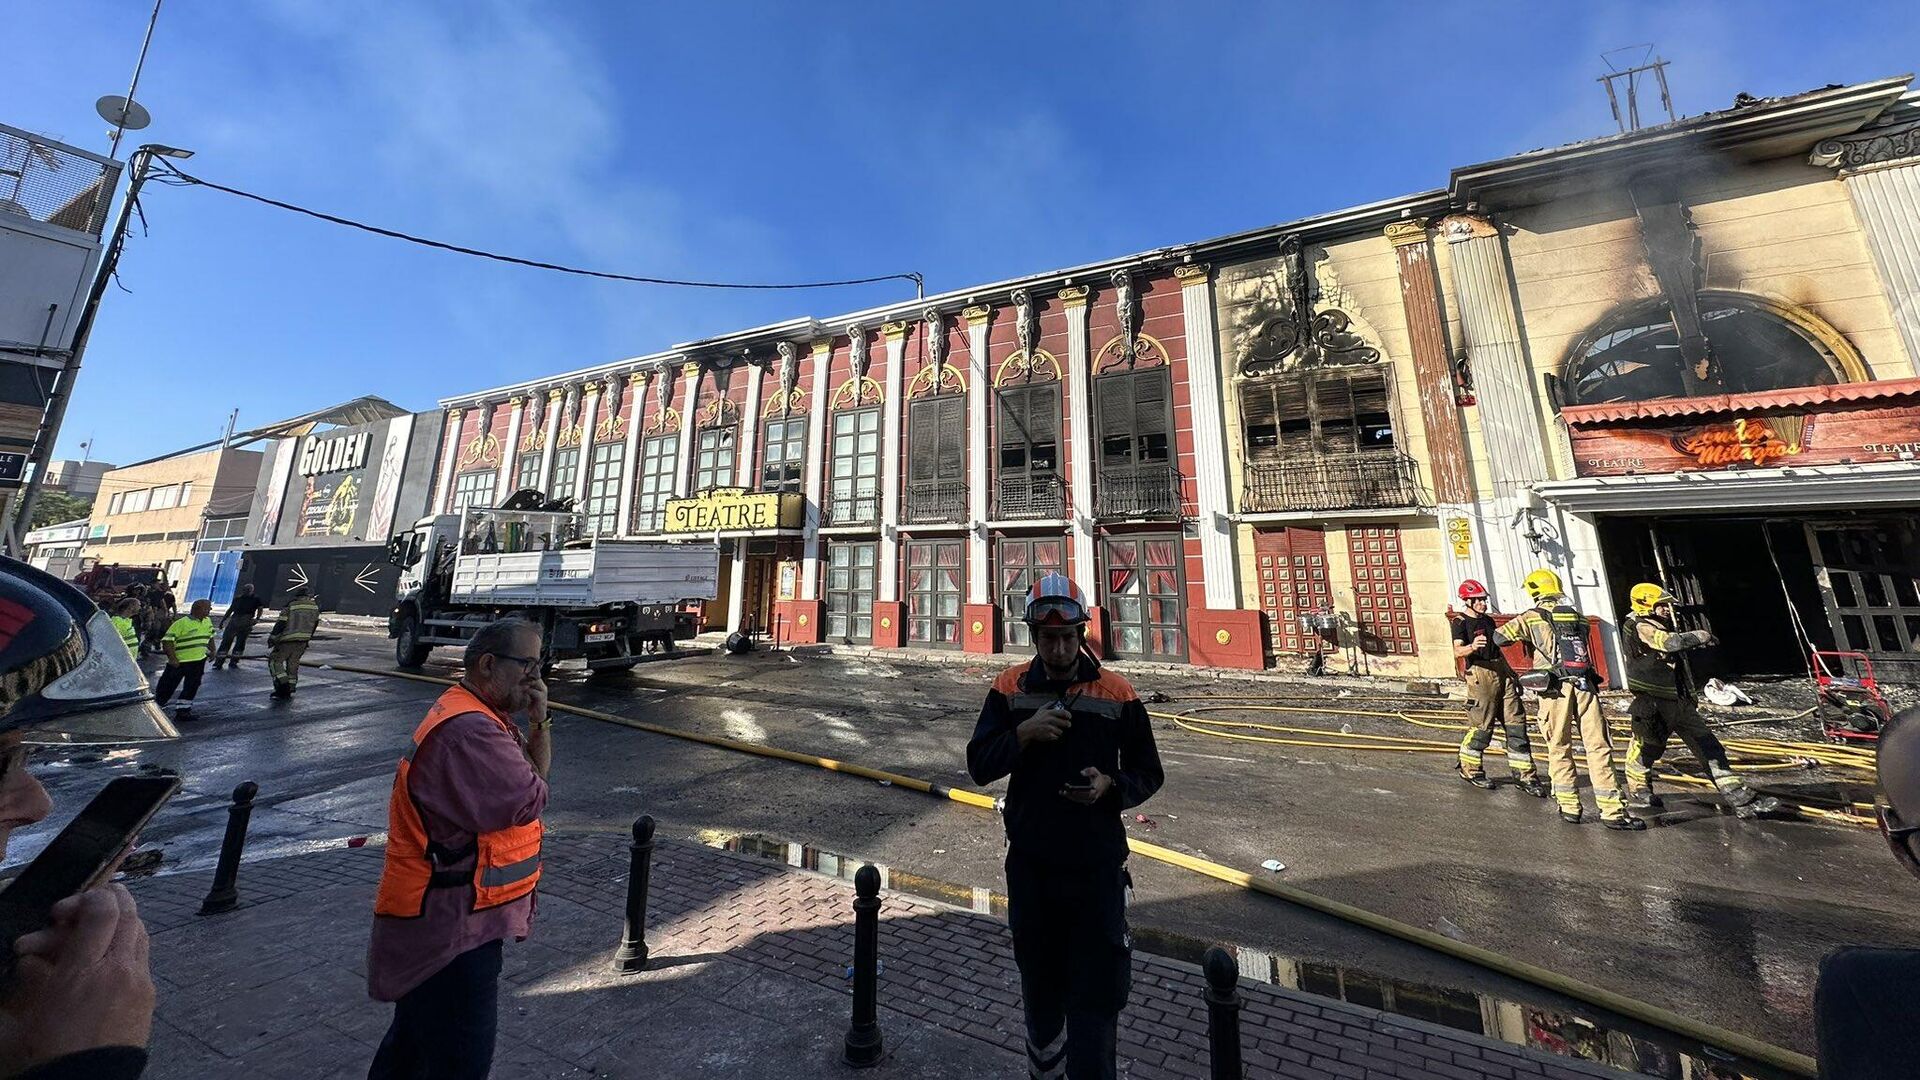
x=594, y=599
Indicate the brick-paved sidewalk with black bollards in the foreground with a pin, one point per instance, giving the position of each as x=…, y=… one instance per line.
x=748, y=981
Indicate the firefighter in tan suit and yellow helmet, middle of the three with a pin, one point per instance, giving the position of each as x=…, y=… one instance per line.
x=1556, y=637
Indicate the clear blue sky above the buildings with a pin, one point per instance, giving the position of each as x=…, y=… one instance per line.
x=771, y=143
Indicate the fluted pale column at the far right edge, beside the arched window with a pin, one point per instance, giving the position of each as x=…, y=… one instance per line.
x=1881, y=170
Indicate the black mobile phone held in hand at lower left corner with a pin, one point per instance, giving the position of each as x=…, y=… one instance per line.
x=80, y=858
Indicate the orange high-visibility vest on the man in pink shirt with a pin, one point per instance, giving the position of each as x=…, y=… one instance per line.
x=508, y=862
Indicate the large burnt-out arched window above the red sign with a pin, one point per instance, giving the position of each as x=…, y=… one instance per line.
x=1635, y=353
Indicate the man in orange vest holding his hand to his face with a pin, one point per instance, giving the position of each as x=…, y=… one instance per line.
x=462, y=860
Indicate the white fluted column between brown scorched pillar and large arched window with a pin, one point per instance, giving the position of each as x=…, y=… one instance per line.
x=1504, y=385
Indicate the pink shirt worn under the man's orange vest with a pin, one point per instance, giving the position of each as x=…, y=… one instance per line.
x=469, y=777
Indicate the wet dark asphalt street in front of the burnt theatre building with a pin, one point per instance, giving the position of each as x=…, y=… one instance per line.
x=1710, y=918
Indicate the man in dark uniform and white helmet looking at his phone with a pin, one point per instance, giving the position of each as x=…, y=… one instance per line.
x=1080, y=750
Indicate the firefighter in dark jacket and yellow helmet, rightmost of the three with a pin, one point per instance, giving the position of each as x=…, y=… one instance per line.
x=1664, y=706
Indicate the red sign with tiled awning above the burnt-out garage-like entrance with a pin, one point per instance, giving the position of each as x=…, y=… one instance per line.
x=1815, y=426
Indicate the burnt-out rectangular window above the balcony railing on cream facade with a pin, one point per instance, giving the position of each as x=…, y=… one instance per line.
x=1318, y=412
